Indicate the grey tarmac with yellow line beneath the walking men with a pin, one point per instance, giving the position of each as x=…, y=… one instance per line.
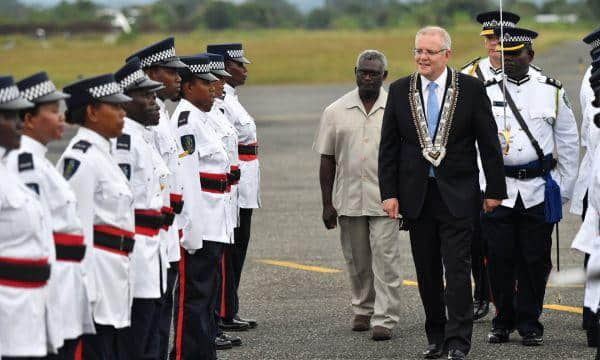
x=294, y=282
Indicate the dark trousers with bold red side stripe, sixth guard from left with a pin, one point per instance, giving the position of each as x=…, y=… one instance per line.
x=195, y=299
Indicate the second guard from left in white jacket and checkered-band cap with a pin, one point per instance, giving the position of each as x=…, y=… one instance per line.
x=68, y=293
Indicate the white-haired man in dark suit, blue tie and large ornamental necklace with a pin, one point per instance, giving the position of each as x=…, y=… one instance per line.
x=428, y=172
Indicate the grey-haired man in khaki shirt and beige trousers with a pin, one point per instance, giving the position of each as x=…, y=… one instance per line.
x=348, y=141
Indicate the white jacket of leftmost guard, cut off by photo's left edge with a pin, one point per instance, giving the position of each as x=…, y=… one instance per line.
x=24, y=239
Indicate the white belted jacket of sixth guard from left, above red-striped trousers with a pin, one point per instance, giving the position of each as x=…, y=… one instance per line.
x=206, y=189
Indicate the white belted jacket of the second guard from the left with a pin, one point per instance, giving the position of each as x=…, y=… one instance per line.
x=68, y=293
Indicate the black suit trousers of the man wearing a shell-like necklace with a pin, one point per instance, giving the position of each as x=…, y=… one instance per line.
x=438, y=238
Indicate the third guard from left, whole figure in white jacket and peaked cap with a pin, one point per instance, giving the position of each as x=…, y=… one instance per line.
x=105, y=207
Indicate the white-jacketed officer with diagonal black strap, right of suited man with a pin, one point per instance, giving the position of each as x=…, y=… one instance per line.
x=538, y=119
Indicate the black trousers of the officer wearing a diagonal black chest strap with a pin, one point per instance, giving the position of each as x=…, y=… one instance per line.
x=519, y=246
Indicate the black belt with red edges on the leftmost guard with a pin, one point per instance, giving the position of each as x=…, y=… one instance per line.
x=27, y=273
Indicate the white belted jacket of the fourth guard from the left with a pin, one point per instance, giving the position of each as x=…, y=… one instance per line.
x=136, y=155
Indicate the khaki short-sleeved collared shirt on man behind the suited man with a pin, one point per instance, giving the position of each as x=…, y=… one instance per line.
x=352, y=136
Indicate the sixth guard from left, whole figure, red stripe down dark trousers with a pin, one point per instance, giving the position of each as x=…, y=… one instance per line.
x=206, y=191
